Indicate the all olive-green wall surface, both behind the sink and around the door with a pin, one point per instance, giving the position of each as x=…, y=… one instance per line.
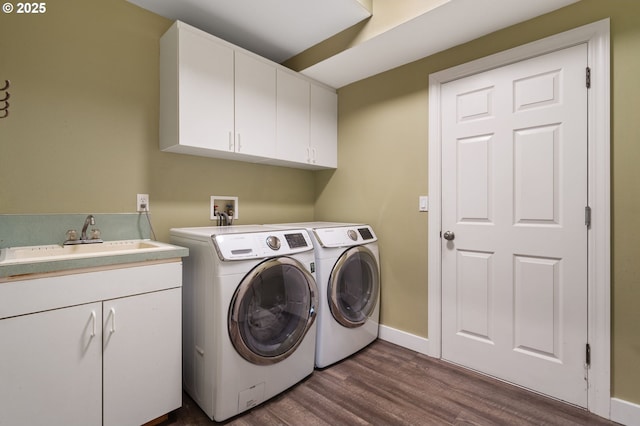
x=82, y=137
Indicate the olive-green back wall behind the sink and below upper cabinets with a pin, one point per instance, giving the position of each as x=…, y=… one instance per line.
x=82, y=134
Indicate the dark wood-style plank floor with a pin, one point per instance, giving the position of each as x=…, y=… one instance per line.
x=385, y=384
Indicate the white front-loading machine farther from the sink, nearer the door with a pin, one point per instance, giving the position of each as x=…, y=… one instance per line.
x=348, y=277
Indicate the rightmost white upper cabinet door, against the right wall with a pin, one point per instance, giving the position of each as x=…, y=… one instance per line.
x=324, y=127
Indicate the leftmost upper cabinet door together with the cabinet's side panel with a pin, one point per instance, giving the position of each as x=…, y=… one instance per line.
x=197, y=93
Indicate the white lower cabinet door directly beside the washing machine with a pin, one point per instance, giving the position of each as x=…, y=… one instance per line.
x=142, y=357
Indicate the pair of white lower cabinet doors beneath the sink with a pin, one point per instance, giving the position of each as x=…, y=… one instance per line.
x=112, y=362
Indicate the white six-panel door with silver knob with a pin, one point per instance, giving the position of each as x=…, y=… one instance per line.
x=514, y=246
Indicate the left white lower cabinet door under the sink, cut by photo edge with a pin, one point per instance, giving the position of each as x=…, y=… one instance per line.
x=51, y=367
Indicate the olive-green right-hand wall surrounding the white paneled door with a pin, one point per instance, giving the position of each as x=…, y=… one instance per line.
x=383, y=137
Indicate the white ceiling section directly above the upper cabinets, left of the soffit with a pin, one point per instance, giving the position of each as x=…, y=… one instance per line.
x=274, y=29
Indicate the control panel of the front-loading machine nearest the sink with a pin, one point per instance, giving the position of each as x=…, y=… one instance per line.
x=240, y=246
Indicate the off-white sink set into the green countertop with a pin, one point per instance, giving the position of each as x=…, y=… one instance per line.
x=46, y=253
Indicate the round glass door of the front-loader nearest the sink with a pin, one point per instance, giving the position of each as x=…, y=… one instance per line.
x=272, y=309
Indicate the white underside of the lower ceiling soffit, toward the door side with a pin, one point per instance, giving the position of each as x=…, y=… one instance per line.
x=453, y=23
